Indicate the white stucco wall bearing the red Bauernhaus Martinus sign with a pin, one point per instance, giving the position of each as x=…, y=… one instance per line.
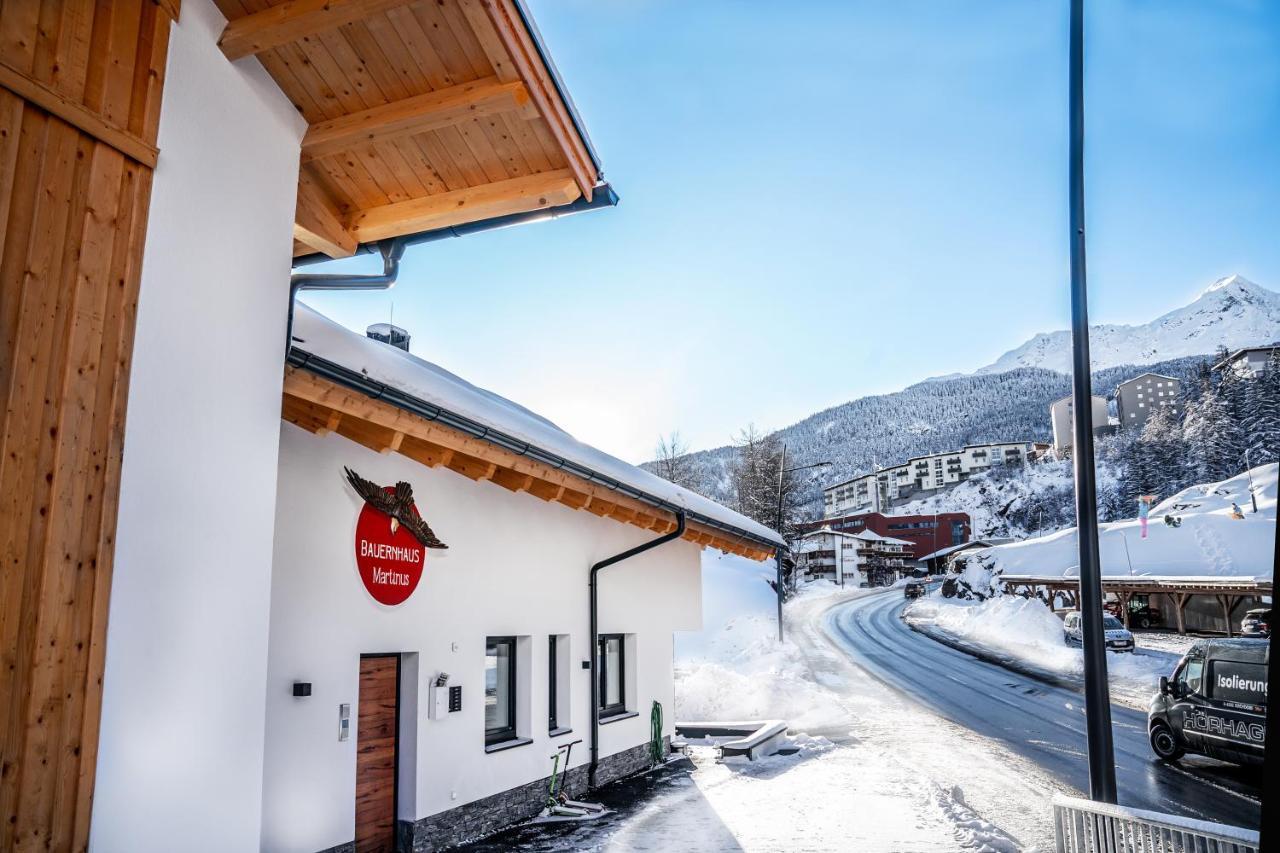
x=515, y=567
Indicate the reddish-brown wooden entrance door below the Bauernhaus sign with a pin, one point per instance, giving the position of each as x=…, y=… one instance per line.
x=377, y=729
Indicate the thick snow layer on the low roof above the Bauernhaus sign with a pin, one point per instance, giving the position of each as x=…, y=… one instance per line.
x=319, y=336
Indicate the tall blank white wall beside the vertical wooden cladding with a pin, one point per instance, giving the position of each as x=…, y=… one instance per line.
x=181, y=758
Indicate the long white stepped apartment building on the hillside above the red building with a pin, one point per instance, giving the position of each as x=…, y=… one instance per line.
x=920, y=477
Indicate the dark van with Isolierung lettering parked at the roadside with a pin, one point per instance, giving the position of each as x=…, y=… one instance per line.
x=1215, y=704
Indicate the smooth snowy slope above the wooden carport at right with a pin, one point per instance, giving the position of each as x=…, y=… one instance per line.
x=1209, y=544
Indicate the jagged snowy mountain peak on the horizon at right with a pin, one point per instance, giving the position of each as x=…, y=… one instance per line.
x=1232, y=312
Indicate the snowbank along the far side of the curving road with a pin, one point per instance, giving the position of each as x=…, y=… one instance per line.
x=1027, y=631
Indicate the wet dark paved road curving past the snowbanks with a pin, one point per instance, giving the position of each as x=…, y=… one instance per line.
x=1039, y=722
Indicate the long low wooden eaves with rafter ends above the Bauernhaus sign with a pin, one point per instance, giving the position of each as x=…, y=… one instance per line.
x=321, y=405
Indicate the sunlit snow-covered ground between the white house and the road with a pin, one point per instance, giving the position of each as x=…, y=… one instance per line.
x=874, y=774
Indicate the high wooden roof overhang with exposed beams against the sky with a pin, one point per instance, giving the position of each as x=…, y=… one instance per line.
x=423, y=115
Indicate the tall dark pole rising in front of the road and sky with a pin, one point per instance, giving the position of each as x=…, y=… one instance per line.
x=1098, y=700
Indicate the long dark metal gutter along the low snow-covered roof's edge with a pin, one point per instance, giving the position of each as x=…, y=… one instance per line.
x=355, y=381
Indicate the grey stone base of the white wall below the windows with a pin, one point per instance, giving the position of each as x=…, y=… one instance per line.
x=493, y=814
